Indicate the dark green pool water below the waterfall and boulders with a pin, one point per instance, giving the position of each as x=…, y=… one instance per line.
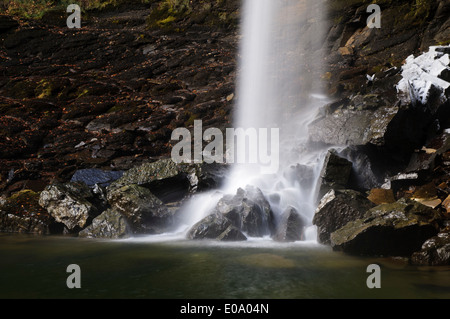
x=174, y=268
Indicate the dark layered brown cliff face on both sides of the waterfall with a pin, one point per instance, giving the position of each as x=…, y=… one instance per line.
x=109, y=95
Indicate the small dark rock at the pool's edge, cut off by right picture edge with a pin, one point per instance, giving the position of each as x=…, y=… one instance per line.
x=435, y=251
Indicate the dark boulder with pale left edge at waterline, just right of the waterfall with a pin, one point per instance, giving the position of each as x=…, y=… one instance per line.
x=336, y=209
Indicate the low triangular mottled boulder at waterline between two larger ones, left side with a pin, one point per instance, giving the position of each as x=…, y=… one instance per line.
x=109, y=224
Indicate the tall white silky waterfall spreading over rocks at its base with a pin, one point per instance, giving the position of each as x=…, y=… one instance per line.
x=280, y=69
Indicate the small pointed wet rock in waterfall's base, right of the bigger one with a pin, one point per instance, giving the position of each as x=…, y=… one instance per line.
x=290, y=227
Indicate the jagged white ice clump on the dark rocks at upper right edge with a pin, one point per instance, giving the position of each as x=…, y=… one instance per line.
x=421, y=73
